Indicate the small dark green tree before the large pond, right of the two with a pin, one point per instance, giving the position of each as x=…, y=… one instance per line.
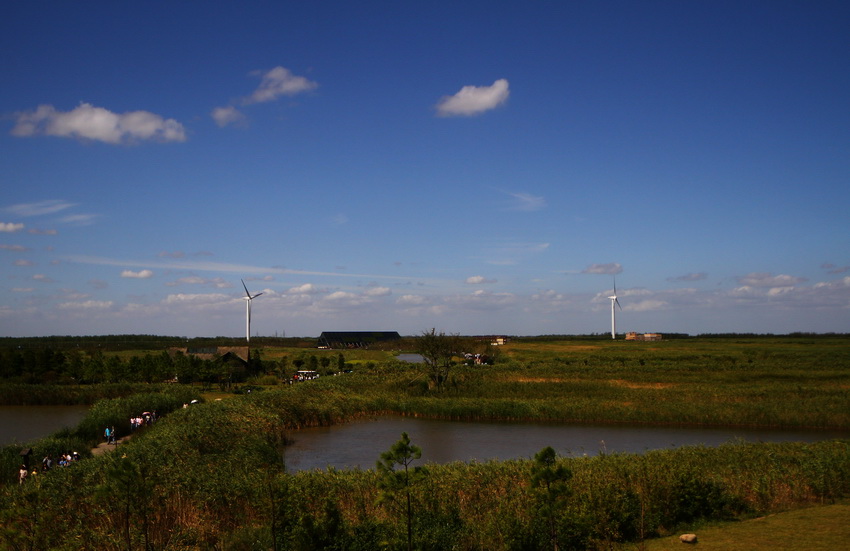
x=550, y=482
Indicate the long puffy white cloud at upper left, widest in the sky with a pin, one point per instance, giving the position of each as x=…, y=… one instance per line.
x=99, y=124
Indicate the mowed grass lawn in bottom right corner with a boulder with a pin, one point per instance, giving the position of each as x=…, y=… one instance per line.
x=823, y=528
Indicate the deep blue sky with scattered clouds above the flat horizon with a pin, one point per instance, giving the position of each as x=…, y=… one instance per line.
x=476, y=167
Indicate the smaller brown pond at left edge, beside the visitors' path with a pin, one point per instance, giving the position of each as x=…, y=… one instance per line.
x=20, y=424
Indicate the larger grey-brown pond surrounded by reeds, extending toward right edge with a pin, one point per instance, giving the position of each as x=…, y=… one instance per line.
x=360, y=443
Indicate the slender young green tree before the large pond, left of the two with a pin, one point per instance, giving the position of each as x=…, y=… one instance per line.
x=397, y=477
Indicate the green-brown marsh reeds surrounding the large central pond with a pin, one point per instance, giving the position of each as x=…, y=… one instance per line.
x=212, y=476
